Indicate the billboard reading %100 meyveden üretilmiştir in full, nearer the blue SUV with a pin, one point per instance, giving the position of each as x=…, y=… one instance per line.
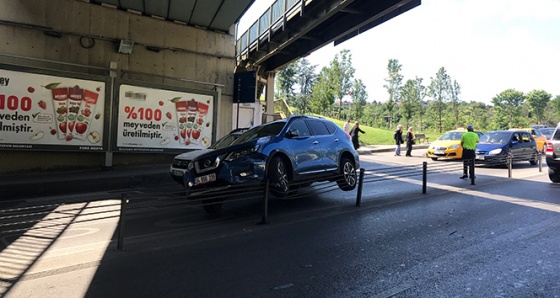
x=160, y=120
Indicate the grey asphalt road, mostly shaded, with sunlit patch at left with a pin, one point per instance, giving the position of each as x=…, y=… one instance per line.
x=497, y=238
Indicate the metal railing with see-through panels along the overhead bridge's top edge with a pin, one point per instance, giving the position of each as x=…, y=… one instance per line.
x=274, y=18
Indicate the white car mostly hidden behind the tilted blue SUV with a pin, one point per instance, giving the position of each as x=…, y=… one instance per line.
x=181, y=161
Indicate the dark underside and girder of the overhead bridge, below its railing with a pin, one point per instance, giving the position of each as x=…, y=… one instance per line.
x=317, y=24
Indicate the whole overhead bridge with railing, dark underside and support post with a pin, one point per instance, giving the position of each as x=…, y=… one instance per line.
x=291, y=29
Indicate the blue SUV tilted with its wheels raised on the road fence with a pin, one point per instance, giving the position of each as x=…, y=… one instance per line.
x=286, y=152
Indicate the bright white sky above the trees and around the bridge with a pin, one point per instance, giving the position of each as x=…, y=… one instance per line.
x=487, y=46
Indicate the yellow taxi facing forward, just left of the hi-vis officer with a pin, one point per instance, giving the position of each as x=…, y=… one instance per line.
x=448, y=145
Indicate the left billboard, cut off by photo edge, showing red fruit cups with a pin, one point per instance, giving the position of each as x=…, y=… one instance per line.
x=48, y=112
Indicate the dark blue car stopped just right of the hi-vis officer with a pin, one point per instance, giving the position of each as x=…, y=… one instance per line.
x=495, y=147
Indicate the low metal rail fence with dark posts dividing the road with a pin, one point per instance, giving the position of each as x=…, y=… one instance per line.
x=20, y=220
